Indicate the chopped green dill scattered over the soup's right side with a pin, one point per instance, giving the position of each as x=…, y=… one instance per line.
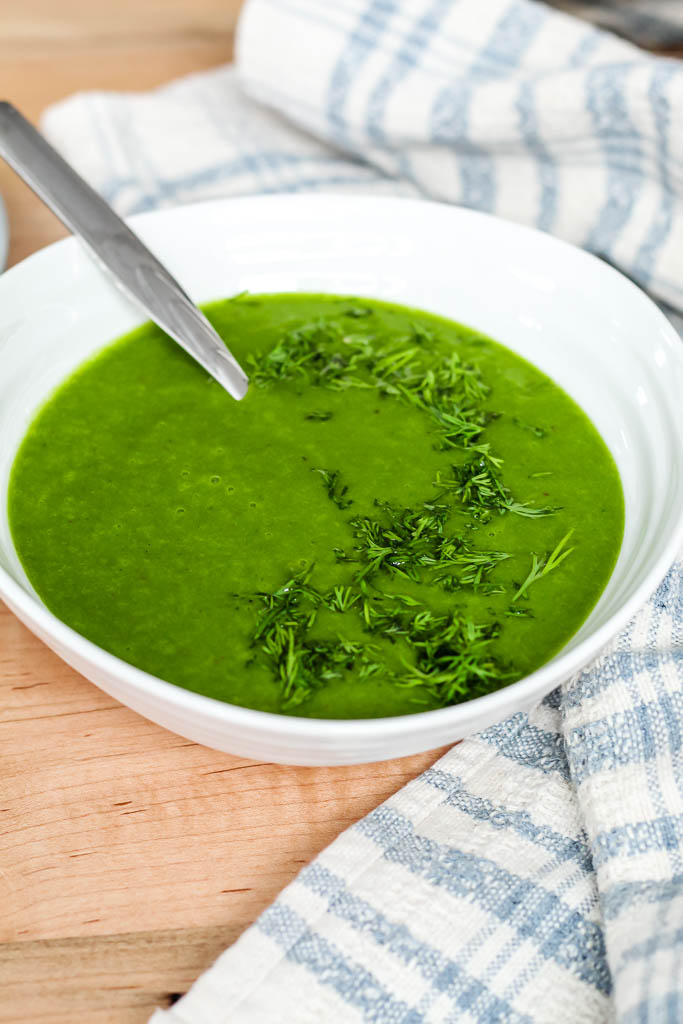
x=446, y=657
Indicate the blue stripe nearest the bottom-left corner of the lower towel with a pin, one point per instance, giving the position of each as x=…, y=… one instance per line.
x=354, y=984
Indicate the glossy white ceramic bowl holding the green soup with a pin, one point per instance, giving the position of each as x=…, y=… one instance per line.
x=580, y=321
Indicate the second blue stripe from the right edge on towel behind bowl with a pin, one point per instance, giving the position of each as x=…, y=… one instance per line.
x=621, y=142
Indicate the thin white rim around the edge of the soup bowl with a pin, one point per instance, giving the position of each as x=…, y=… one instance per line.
x=494, y=706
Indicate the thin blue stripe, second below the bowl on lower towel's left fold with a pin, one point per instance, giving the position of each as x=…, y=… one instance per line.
x=498, y=817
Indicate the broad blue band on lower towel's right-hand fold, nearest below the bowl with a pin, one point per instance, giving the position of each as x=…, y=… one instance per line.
x=634, y=737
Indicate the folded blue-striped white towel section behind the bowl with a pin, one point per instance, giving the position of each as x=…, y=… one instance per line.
x=507, y=106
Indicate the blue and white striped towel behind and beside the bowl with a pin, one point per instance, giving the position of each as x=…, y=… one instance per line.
x=536, y=873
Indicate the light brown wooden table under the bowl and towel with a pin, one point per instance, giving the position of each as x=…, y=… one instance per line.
x=131, y=858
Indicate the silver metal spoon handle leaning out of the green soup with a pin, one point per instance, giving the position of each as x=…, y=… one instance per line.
x=116, y=248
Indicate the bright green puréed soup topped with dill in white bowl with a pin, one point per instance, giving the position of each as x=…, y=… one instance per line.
x=401, y=516
